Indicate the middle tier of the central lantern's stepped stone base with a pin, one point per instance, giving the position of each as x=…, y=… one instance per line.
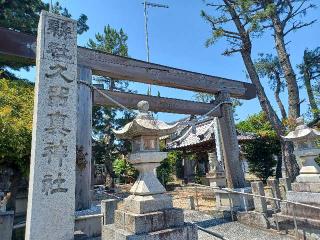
x=149, y=222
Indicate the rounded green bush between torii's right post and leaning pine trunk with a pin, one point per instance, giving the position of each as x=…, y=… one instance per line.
x=261, y=151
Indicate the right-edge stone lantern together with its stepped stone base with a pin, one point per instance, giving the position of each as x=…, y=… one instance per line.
x=306, y=188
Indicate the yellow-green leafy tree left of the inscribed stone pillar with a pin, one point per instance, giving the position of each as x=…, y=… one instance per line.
x=16, y=105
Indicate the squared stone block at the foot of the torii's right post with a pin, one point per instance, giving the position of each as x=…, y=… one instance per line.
x=236, y=202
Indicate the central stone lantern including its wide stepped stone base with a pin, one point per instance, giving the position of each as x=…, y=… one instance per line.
x=148, y=212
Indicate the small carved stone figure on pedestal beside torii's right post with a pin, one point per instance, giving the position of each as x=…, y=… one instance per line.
x=216, y=175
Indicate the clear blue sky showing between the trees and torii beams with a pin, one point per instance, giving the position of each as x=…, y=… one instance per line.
x=177, y=36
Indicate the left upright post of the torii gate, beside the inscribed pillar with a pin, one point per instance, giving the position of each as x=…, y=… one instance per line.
x=84, y=124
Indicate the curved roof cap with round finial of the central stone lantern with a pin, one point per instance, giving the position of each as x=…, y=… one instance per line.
x=144, y=124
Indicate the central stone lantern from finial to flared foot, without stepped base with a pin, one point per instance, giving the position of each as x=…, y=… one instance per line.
x=144, y=132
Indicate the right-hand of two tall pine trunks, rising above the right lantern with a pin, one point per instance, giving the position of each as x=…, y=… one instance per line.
x=292, y=85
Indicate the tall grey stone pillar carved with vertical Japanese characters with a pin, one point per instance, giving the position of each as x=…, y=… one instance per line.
x=51, y=199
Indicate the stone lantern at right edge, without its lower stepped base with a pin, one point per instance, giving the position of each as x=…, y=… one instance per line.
x=306, y=150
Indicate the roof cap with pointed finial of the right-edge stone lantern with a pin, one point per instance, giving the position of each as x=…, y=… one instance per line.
x=302, y=131
